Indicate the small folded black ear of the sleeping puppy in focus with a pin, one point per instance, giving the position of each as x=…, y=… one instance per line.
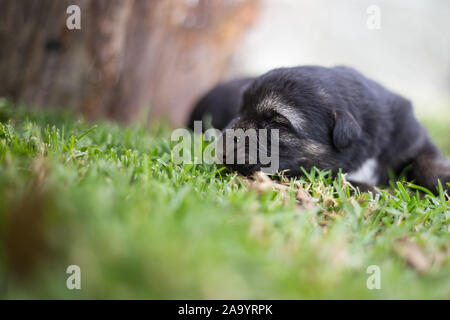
x=346, y=129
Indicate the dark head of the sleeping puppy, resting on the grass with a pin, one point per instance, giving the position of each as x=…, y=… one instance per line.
x=311, y=130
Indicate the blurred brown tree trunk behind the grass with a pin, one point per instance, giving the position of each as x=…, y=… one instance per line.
x=129, y=54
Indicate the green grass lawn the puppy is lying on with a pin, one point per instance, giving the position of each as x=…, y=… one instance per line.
x=108, y=199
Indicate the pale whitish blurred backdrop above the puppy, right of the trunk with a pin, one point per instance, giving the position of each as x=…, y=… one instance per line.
x=409, y=54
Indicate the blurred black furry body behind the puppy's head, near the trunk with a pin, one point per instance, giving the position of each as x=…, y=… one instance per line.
x=220, y=105
